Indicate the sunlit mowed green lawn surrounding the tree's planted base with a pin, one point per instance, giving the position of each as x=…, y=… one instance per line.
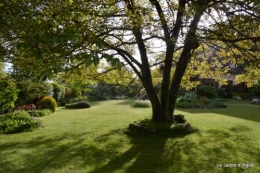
x=95, y=141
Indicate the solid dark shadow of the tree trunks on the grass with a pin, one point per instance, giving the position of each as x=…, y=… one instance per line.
x=146, y=154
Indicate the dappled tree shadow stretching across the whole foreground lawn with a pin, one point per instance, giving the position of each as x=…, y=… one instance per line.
x=111, y=152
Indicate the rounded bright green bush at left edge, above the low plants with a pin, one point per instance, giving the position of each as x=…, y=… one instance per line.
x=8, y=93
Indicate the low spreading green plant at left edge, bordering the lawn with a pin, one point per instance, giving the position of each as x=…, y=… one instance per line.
x=18, y=121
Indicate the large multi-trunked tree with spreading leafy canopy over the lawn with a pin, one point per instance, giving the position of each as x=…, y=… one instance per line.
x=59, y=35
